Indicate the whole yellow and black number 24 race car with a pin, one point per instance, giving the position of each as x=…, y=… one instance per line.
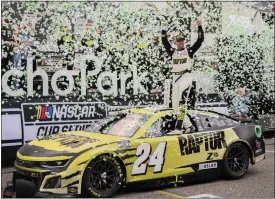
x=140, y=147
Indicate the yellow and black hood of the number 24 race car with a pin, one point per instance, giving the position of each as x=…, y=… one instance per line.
x=67, y=144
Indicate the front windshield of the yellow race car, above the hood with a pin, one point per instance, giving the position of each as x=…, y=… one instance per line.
x=125, y=125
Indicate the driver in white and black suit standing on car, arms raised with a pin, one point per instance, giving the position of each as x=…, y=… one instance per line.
x=182, y=76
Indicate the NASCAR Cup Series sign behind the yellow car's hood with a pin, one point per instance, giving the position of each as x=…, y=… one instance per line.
x=42, y=119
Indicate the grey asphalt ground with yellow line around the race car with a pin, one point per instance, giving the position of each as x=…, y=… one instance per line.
x=257, y=183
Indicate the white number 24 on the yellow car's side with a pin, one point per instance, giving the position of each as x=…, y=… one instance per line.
x=156, y=159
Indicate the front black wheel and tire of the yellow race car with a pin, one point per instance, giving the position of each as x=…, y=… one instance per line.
x=102, y=177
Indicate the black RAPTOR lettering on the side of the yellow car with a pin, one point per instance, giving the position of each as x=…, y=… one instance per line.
x=192, y=143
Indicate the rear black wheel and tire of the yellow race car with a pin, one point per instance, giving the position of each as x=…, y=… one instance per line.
x=235, y=161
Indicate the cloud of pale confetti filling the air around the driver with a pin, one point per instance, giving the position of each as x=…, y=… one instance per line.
x=122, y=36
